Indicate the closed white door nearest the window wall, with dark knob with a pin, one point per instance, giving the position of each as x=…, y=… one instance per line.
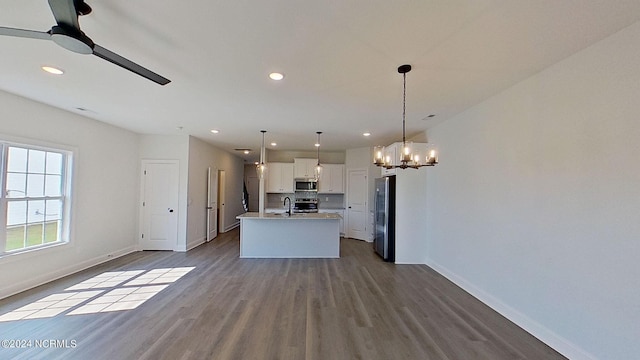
x=159, y=205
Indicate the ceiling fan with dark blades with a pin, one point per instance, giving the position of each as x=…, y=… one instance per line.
x=67, y=34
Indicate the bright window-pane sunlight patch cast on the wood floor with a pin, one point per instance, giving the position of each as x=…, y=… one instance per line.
x=142, y=286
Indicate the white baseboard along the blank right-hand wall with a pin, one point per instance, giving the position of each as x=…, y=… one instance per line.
x=547, y=336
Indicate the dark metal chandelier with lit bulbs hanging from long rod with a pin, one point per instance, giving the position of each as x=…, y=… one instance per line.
x=408, y=157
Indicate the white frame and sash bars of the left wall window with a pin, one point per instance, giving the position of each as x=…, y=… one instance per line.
x=65, y=197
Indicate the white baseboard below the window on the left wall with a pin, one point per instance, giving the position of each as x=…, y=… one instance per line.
x=60, y=273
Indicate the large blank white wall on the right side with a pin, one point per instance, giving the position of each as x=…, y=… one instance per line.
x=535, y=205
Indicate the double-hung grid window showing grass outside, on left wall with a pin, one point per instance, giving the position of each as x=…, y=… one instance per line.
x=34, y=198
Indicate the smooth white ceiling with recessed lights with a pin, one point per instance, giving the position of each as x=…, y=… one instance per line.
x=339, y=58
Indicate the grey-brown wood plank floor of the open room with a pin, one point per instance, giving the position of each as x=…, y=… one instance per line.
x=355, y=307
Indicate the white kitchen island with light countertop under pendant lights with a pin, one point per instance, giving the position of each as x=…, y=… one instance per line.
x=307, y=235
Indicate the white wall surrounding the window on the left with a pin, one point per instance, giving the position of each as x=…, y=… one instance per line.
x=104, y=197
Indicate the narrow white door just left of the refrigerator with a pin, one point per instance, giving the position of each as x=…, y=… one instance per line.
x=357, y=190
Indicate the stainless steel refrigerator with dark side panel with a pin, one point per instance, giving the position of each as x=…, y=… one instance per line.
x=385, y=215
